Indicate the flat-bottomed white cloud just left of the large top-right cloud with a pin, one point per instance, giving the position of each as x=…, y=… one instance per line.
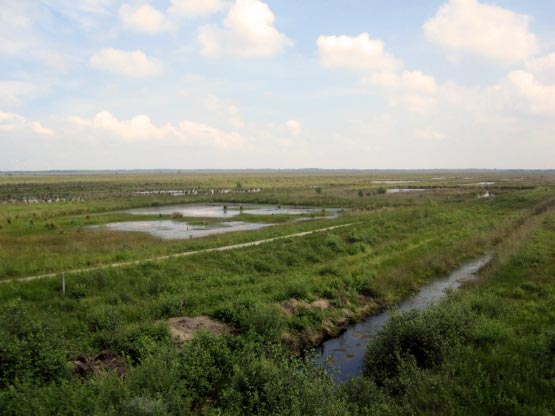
x=355, y=53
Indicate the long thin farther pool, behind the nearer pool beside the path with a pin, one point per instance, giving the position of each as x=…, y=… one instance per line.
x=231, y=210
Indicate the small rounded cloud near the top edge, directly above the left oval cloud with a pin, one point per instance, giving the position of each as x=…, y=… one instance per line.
x=144, y=18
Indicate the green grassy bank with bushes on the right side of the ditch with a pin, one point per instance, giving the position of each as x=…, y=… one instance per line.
x=487, y=350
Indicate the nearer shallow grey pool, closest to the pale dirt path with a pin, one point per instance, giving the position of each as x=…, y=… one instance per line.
x=178, y=230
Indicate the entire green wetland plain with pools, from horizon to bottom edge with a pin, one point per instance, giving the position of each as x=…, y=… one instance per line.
x=277, y=293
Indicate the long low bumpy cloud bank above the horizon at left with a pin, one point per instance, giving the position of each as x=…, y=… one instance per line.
x=141, y=128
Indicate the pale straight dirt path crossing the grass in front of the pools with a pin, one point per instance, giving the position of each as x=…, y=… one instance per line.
x=170, y=256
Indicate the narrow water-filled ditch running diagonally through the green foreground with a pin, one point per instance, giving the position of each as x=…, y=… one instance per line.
x=347, y=351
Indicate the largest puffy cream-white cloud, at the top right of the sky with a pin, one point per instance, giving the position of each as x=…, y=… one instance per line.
x=470, y=27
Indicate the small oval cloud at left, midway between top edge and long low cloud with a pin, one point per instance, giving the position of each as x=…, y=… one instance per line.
x=131, y=63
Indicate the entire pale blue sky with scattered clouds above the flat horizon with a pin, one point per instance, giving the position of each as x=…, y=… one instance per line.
x=234, y=84
